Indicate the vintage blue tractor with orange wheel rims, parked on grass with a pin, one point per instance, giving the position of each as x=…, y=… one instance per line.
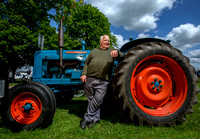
x=154, y=83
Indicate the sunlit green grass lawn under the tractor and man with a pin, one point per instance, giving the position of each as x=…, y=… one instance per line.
x=67, y=117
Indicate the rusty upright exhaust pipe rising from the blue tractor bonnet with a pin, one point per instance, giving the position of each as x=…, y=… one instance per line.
x=61, y=42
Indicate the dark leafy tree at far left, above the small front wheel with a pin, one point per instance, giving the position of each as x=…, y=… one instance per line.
x=20, y=22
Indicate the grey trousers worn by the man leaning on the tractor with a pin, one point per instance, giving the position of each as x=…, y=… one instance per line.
x=95, y=90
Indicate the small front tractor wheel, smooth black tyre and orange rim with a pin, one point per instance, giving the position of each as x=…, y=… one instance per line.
x=28, y=105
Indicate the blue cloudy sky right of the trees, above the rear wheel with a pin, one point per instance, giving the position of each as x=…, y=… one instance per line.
x=175, y=20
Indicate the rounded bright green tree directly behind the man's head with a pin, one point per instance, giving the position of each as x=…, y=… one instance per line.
x=86, y=23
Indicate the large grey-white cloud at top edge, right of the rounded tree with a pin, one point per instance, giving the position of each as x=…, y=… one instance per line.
x=137, y=15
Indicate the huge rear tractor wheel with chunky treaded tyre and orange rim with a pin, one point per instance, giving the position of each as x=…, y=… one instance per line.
x=132, y=76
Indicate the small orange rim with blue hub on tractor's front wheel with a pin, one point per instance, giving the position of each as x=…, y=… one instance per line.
x=26, y=108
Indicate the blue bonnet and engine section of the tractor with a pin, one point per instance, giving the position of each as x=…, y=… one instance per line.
x=48, y=71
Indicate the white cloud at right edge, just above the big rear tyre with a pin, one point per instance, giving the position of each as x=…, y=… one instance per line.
x=186, y=37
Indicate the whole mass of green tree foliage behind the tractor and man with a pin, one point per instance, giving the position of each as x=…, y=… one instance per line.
x=22, y=20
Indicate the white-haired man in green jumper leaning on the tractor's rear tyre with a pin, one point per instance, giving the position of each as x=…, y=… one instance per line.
x=96, y=76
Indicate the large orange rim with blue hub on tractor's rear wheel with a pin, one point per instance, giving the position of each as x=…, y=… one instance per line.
x=158, y=85
